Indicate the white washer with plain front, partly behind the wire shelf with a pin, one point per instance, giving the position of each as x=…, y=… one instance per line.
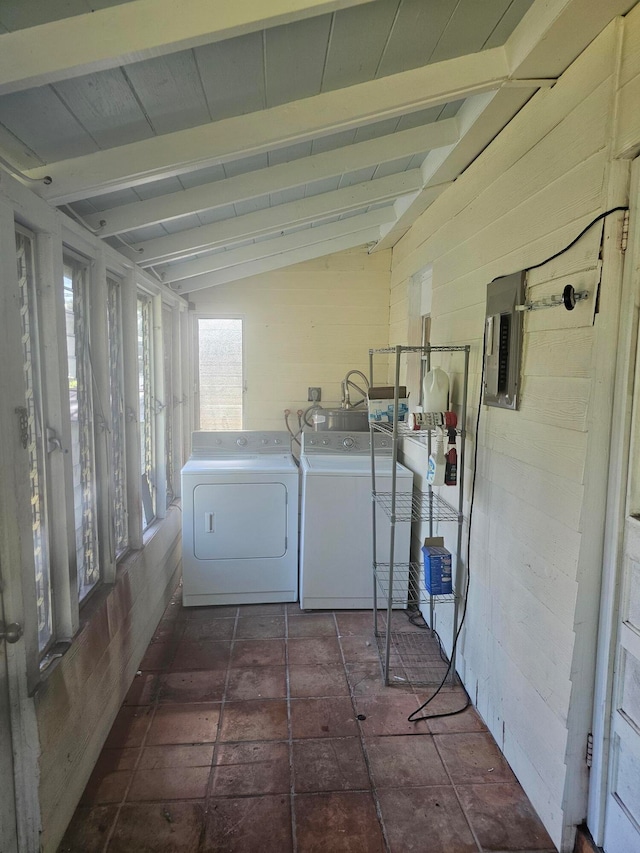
x=336, y=542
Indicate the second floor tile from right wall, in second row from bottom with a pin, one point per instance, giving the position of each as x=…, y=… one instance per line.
x=405, y=761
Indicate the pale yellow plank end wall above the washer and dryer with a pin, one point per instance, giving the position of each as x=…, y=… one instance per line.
x=305, y=325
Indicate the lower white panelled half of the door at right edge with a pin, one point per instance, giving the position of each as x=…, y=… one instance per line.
x=622, y=811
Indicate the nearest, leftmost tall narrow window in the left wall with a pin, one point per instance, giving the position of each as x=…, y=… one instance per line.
x=33, y=435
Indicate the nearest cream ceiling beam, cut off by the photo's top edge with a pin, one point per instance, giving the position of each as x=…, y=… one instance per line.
x=141, y=29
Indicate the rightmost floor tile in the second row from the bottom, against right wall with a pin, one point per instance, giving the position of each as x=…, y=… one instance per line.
x=473, y=758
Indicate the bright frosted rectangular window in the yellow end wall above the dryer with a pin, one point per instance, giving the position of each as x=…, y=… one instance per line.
x=220, y=374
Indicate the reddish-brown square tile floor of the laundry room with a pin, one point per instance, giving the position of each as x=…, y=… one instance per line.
x=264, y=728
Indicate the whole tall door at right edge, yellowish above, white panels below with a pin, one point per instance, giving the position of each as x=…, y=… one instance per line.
x=614, y=796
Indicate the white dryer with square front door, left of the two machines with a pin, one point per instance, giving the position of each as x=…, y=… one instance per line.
x=240, y=519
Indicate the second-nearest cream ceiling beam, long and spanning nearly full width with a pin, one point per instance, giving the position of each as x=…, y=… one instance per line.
x=246, y=135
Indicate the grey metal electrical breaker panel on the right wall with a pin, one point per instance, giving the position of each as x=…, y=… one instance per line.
x=503, y=341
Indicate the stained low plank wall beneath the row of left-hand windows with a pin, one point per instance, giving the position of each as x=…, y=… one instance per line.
x=77, y=704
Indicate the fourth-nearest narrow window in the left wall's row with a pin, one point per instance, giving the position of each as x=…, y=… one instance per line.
x=145, y=391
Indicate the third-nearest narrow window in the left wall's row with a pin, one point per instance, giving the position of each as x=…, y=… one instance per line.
x=116, y=436
